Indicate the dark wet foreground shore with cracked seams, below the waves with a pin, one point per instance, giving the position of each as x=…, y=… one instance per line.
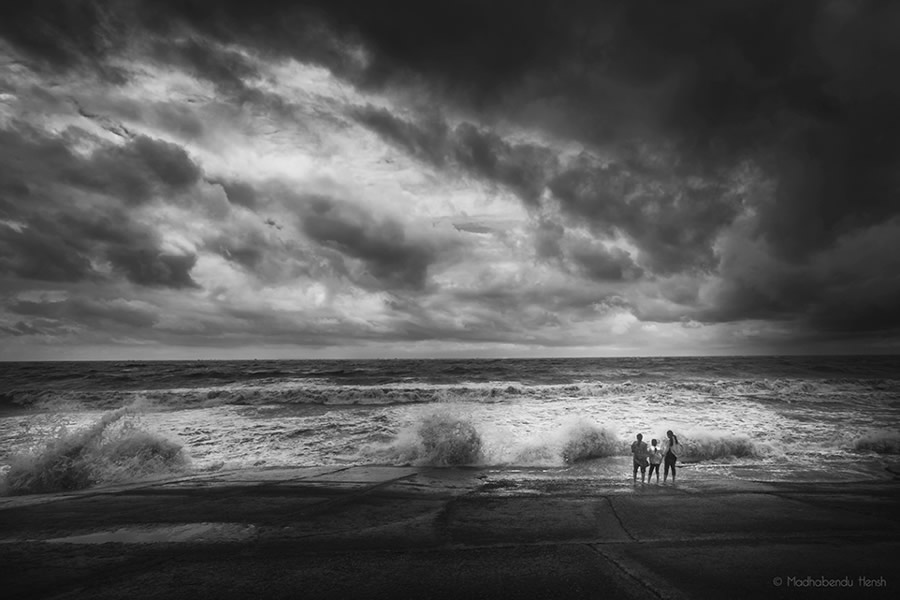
x=384, y=532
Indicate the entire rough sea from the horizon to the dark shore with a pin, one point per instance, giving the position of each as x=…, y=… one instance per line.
x=70, y=425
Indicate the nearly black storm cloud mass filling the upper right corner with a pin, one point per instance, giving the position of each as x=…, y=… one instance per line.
x=803, y=84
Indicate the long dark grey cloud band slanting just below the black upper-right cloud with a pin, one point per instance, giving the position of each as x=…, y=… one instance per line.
x=673, y=220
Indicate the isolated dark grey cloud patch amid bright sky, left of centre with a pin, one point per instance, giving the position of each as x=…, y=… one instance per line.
x=390, y=255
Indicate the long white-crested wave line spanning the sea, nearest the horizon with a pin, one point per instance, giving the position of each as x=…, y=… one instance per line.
x=765, y=391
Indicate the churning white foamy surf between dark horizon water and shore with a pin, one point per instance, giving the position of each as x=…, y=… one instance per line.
x=241, y=419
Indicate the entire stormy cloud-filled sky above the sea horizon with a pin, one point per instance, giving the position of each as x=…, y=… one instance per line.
x=219, y=179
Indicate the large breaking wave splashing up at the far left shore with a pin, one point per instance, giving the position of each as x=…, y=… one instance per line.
x=114, y=449
